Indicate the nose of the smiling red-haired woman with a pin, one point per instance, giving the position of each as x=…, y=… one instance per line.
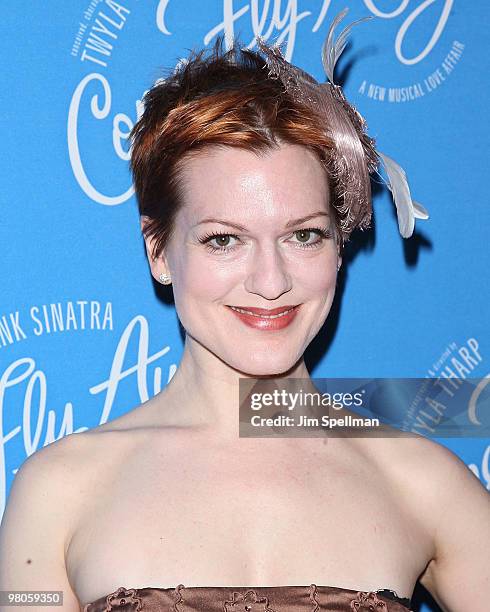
x=268, y=274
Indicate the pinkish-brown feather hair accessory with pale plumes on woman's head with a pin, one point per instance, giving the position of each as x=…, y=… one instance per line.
x=355, y=156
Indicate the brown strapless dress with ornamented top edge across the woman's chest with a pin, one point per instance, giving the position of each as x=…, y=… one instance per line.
x=310, y=598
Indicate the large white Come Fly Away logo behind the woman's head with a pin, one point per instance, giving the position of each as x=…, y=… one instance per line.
x=412, y=36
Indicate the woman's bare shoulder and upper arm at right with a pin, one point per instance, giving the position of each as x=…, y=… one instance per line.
x=449, y=502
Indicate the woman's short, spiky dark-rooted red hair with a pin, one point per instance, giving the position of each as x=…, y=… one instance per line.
x=222, y=98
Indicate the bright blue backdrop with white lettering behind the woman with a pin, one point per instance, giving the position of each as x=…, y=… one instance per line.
x=84, y=338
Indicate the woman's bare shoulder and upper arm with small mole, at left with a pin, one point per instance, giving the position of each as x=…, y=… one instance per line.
x=51, y=492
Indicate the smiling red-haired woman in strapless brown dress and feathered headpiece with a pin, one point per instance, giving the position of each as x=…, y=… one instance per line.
x=250, y=177
